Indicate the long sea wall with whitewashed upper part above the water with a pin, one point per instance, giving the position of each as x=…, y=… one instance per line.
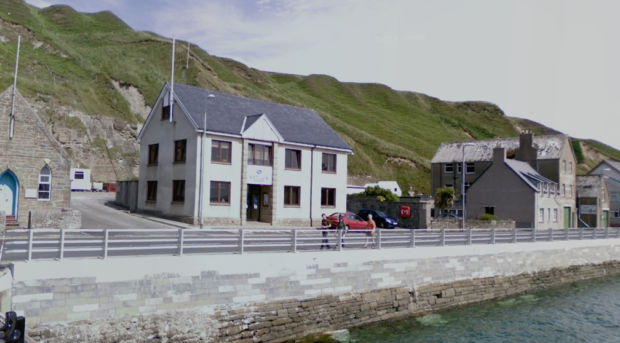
x=276, y=297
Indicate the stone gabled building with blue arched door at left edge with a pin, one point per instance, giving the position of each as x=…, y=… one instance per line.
x=34, y=169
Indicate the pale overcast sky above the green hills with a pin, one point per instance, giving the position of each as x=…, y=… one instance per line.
x=556, y=62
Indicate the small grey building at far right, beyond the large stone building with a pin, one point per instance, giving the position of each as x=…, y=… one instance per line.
x=592, y=201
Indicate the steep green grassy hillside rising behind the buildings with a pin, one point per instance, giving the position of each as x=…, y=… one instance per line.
x=71, y=58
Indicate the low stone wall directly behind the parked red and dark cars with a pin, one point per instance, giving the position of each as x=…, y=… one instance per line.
x=420, y=209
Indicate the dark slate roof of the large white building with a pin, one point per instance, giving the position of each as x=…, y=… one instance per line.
x=226, y=113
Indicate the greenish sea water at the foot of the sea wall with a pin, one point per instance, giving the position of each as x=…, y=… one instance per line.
x=580, y=312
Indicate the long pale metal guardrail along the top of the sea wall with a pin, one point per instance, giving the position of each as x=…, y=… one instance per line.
x=58, y=244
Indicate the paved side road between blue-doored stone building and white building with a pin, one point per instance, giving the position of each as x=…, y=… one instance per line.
x=99, y=212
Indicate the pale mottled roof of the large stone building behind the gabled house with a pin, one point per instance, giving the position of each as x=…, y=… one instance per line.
x=549, y=147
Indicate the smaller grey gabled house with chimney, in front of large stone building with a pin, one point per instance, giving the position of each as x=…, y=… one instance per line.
x=513, y=190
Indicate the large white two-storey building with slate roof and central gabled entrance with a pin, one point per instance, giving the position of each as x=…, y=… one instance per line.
x=260, y=161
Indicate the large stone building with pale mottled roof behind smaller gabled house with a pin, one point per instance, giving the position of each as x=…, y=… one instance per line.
x=550, y=156
